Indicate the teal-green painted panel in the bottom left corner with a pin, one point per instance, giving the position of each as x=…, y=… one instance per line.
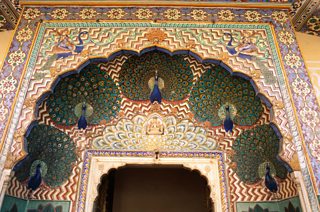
x=13, y=204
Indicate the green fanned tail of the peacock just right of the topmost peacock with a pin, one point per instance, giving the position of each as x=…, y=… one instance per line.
x=217, y=88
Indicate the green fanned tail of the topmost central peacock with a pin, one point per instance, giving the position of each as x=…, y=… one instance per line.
x=174, y=70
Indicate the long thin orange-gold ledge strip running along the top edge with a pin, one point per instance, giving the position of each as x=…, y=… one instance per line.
x=244, y=5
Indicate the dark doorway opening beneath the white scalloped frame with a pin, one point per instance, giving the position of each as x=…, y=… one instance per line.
x=153, y=188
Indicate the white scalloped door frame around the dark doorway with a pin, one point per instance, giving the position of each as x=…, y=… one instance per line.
x=209, y=167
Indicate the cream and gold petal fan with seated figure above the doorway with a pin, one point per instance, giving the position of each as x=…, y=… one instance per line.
x=155, y=132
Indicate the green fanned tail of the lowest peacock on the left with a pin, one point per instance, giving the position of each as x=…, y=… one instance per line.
x=54, y=148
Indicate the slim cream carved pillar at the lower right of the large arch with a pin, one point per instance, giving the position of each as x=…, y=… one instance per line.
x=303, y=195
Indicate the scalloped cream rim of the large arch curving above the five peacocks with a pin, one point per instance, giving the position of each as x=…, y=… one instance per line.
x=275, y=106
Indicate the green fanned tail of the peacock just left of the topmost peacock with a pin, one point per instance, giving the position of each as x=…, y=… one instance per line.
x=92, y=86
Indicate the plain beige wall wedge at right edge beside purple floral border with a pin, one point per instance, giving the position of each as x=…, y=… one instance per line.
x=310, y=48
